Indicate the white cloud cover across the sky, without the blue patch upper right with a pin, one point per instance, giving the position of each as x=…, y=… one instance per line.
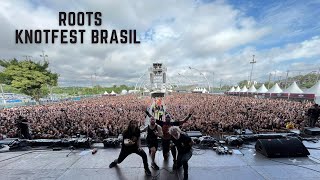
x=213, y=37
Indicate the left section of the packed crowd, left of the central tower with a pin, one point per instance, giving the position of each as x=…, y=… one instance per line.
x=98, y=118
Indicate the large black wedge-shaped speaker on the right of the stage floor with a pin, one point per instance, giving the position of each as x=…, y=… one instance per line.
x=291, y=147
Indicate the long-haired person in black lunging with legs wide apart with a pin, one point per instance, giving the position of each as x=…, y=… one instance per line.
x=131, y=144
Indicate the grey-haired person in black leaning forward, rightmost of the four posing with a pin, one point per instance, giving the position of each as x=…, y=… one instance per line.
x=184, y=146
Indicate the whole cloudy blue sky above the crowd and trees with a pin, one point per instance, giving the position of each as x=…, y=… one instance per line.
x=217, y=38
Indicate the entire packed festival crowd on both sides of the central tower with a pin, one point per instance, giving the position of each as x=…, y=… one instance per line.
x=107, y=116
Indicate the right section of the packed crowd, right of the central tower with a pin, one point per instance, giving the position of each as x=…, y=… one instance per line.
x=214, y=113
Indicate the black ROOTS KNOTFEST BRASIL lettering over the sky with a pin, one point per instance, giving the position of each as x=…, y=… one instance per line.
x=74, y=36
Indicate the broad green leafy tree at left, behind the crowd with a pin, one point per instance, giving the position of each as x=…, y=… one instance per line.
x=30, y=78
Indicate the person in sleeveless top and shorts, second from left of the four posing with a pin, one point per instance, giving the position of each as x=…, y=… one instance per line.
x=154, y=131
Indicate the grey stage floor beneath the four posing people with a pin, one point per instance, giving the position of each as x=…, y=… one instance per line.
x=204, y=165
